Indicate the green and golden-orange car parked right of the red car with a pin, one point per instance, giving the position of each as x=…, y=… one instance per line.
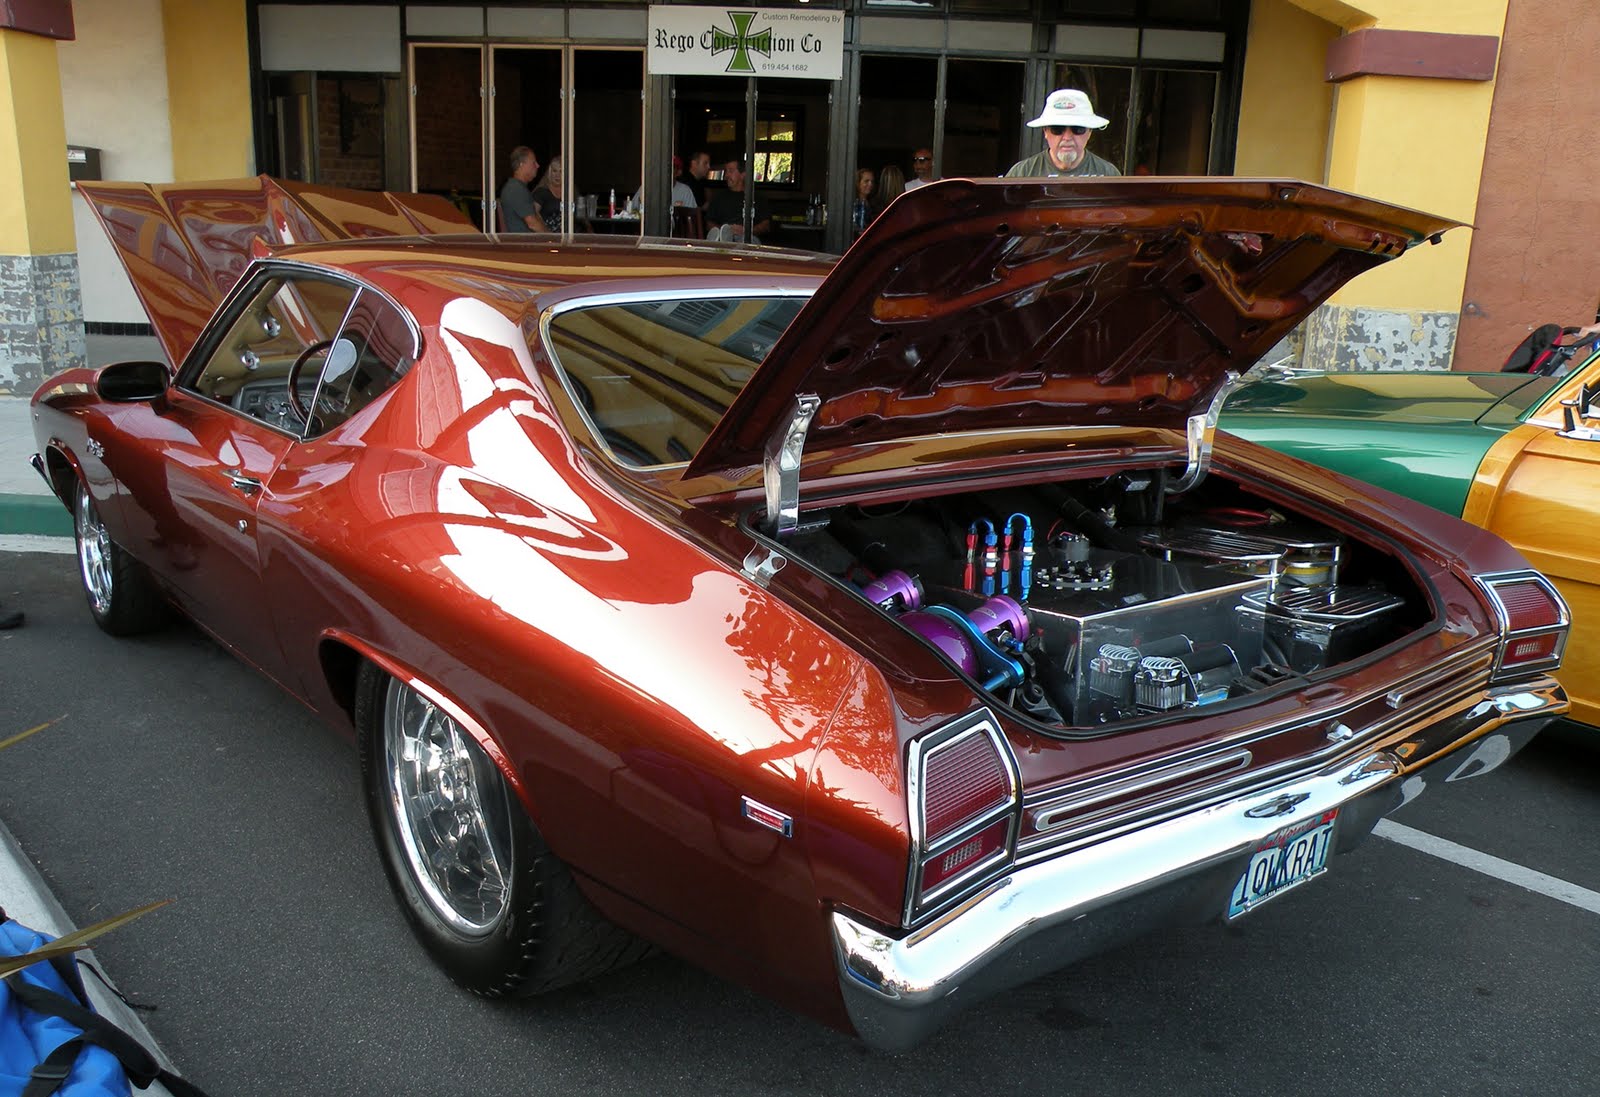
x=1508, y=452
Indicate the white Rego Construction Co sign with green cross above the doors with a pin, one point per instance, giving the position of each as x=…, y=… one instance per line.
x=746, y=42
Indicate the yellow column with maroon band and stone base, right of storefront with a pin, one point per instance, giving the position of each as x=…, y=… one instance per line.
x=1415, y=86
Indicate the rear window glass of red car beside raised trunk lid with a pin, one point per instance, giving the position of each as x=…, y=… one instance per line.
x=655, y=377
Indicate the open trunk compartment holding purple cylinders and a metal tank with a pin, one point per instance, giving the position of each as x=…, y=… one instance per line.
x=1092, y=604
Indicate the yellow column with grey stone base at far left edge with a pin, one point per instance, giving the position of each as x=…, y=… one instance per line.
x=41, y=301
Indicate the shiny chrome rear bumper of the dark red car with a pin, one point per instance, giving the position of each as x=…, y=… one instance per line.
x=1183, y=871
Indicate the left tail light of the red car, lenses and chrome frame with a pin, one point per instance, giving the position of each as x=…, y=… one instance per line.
x=966, y=802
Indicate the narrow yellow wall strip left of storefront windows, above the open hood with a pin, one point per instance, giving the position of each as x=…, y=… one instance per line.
x=209, y=89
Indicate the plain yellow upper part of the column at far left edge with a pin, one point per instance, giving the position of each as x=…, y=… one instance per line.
x=36, y=196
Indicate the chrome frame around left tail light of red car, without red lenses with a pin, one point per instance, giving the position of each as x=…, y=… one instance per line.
x=927, y=848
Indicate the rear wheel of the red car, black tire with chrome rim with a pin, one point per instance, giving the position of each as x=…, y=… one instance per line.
x=476, y=880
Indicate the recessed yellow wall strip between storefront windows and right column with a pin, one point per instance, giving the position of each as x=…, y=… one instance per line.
x=1287, y=102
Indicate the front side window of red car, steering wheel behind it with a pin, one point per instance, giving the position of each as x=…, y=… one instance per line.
x=286, y=324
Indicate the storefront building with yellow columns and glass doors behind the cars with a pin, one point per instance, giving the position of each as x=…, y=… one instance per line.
x=1388, y=98
